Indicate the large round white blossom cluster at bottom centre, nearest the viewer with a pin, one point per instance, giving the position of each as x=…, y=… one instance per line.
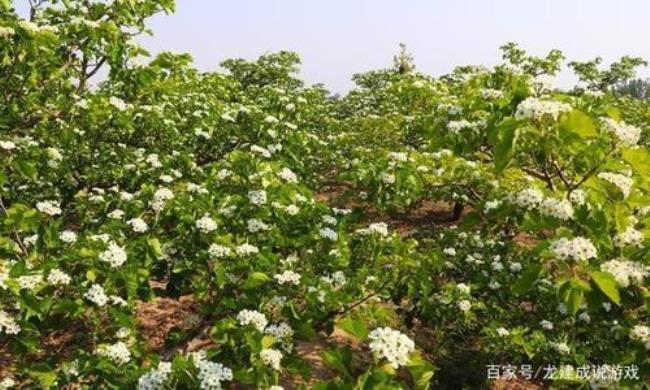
x=392, y=345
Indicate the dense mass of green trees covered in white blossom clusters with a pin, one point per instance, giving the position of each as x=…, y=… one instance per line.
x=165, y=186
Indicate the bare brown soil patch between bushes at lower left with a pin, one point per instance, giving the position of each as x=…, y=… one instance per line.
x=157, y=318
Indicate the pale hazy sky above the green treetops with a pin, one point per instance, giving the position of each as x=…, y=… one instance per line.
x=337, y=38
